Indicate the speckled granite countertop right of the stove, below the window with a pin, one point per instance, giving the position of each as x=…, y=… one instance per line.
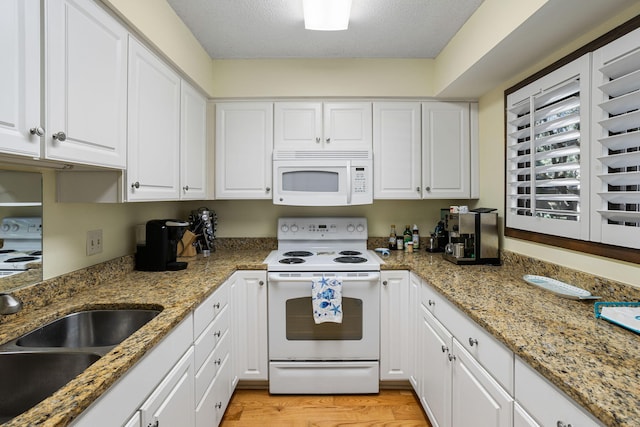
x=593, y=361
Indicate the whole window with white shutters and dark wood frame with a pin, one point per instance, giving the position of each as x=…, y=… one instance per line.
x=572, y=154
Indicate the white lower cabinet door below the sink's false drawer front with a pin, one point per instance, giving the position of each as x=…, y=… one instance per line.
x=173, y=402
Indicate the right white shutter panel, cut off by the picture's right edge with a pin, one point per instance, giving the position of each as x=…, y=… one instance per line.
x=616, y=130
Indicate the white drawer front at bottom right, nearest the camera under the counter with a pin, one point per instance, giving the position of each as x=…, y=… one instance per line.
x=546, y=403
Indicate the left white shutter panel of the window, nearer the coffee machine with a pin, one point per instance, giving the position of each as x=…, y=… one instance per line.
x=548, y=153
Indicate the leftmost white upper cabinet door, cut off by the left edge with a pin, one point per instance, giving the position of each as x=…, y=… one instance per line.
x=20, y=77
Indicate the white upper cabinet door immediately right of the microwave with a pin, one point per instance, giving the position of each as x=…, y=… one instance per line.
x=397, y=150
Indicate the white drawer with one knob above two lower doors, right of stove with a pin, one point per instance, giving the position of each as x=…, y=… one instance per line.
x=488, y=351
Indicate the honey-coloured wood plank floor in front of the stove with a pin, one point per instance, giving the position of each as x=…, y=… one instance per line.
x=390, y=408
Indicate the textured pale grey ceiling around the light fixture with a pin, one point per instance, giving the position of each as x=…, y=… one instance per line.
x=275, y=28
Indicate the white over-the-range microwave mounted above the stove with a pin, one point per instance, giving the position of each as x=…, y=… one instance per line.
x=319, y=178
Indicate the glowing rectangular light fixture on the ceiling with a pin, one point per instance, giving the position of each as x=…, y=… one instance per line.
x=326, y=15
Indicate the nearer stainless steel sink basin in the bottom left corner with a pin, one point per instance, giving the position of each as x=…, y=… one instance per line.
x=29, y=377
